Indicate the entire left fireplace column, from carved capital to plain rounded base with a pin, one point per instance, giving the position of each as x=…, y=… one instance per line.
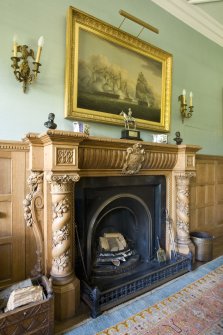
x=66, y=286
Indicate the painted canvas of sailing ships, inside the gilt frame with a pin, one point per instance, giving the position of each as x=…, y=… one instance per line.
x=112, y=78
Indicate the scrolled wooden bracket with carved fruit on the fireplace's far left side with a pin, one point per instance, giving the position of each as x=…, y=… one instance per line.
x=33, y=210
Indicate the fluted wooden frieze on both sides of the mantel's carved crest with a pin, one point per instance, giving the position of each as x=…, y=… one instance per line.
x=114, y=158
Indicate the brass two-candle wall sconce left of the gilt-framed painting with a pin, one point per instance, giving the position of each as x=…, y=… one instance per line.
x=21, y=65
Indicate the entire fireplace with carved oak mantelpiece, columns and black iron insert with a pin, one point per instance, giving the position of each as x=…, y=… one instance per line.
x=115, y=193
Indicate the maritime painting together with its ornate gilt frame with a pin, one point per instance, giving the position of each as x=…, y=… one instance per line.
x=109, y=71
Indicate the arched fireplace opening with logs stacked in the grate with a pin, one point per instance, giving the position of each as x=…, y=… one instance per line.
x=118, y=245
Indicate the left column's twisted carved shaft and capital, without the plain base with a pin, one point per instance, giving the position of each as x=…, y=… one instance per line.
x=62, y=253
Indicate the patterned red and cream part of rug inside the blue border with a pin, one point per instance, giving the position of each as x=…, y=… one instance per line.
x=196, y=309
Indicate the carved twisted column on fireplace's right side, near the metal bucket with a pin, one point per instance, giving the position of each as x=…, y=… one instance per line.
x=183, y=215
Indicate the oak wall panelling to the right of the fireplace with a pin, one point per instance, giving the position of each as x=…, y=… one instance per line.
x=206, y=196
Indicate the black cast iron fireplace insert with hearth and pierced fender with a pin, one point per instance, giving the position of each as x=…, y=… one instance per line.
x=132, y=207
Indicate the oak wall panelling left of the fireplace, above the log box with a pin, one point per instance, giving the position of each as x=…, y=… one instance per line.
x=12, y=228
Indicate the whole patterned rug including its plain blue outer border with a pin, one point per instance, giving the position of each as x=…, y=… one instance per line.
x=188, y=305
